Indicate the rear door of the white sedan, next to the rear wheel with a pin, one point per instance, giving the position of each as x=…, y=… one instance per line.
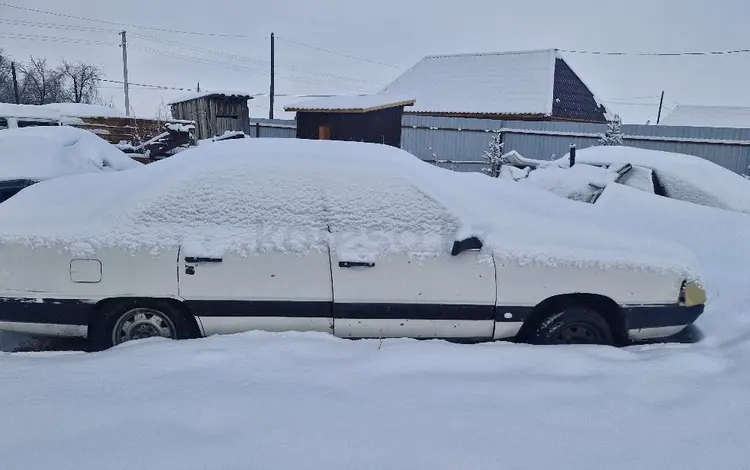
x=277, y=277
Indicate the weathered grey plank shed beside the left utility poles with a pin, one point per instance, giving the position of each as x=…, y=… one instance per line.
x=214, y=112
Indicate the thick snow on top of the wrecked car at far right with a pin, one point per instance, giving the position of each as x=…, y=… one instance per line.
x=685, y=177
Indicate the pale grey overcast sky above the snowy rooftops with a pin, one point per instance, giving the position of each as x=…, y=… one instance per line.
x=399, y=33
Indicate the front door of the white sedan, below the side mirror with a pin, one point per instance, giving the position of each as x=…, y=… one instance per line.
x=393, y=271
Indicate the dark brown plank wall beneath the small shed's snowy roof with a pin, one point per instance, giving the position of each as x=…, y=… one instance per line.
x=381, y=127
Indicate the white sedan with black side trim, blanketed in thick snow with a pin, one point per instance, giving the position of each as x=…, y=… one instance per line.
x=356, y=240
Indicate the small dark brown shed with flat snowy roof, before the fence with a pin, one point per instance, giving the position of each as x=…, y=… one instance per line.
x=362, y=118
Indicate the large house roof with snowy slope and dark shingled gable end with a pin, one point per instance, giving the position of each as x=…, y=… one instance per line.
x=521, y=83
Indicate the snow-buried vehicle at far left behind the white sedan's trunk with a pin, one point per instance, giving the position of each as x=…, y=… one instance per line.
x=32, y=154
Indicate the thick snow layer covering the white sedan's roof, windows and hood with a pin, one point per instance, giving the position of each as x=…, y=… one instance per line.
x=275, y=194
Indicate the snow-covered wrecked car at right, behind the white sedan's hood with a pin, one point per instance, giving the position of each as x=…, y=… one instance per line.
x=677, y=176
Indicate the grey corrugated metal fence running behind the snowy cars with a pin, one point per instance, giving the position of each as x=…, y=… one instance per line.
x=459, y=143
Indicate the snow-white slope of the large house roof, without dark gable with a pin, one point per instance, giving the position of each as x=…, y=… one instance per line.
x=512, y=83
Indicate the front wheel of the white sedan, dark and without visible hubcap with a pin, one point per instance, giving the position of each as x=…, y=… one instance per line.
x=574, y=325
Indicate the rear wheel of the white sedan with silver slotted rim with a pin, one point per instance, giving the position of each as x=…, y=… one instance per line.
x=136, y=319
